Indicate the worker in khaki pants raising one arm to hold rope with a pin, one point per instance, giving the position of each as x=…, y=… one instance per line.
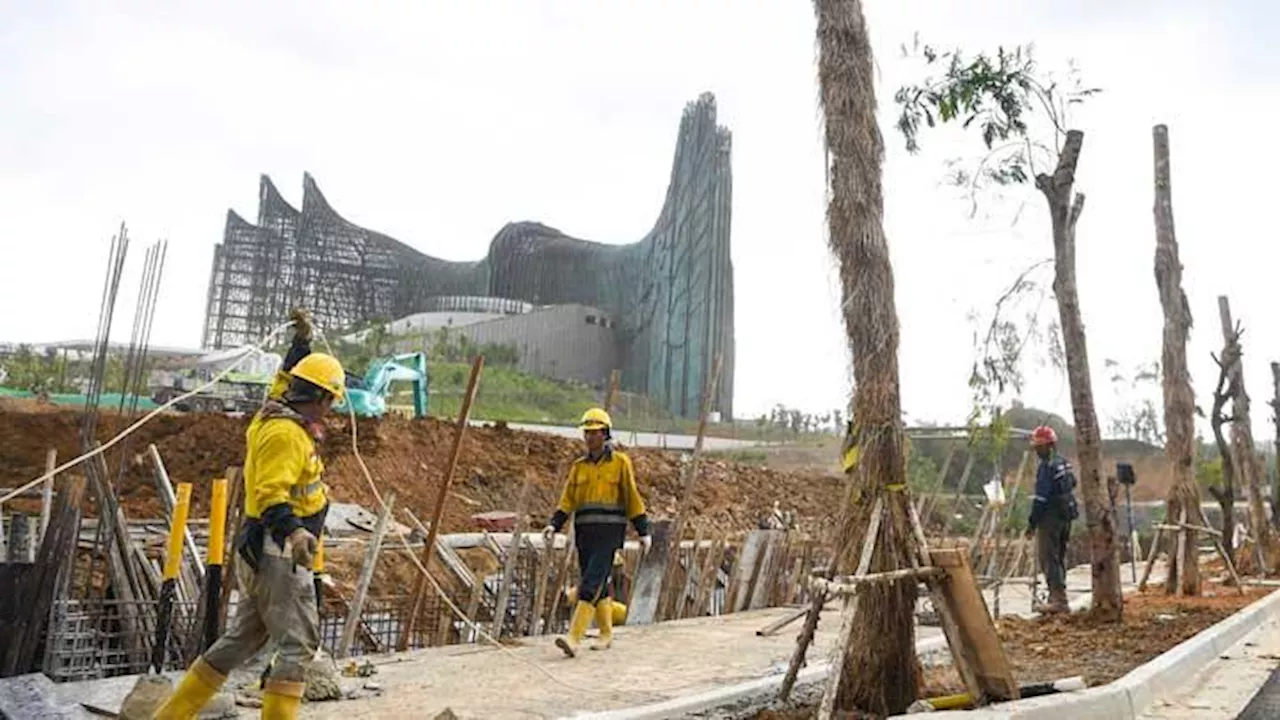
x=285, y=509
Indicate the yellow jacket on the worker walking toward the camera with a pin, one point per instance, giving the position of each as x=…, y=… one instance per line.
x=602, y=491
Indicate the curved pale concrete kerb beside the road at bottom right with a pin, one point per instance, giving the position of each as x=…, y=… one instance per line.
x=1130, y=696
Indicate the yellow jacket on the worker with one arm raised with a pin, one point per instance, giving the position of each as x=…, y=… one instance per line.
x=282, y=464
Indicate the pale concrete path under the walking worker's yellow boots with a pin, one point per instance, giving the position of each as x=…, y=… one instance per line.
x=533, y=680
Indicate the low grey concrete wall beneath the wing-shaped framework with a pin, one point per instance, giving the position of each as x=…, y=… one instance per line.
x=566, y=343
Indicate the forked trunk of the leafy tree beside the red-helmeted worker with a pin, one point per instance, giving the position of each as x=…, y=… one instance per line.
x=1066, y=212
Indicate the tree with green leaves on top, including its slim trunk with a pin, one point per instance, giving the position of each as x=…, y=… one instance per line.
x=1023, y=120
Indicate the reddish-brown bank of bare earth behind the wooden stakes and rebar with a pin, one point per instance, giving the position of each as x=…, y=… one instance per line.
x=410, y=458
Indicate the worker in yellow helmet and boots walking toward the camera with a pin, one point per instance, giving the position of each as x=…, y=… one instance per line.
x=601, y=494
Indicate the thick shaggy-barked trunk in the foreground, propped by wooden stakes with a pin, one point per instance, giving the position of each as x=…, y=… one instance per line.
x=884, y=673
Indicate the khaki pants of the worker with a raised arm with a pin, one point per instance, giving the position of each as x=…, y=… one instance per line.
x=277, y=603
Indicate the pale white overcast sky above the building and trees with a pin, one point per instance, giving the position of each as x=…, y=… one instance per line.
x=440, y=122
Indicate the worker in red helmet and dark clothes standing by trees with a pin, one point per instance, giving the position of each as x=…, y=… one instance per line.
x=1053, y=512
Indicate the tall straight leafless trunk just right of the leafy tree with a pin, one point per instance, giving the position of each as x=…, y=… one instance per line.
x=1180, y=399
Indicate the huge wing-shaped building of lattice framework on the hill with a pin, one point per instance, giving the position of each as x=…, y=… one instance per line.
x=671, y=294
